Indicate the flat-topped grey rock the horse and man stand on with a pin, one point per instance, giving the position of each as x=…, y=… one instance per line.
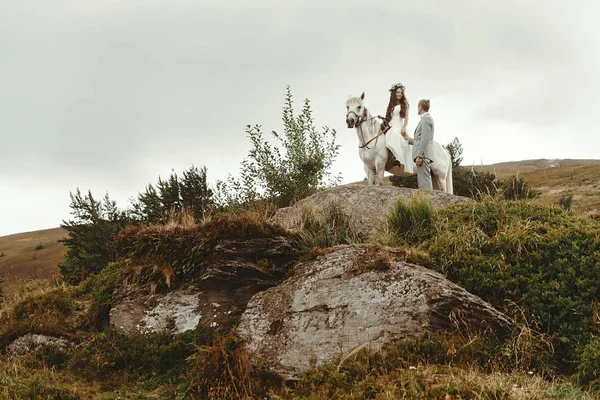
x=365, y=204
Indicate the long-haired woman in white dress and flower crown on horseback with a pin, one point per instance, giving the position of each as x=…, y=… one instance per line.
x=397, y=116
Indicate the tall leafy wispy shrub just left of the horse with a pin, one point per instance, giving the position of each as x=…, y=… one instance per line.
x=302, y=169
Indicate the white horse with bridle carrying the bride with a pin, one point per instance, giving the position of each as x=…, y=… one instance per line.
x=377, y=158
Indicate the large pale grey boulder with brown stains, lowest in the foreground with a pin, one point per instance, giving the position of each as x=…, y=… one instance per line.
x=350, y=298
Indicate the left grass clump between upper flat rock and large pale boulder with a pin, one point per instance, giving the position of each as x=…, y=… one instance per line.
x=331, y=228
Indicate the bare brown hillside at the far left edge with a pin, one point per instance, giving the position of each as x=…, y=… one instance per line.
x=31, y=255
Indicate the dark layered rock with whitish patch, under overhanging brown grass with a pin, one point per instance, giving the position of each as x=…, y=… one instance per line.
x=236, y=271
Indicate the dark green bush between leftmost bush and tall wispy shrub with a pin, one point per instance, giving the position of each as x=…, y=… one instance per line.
x=189, y=193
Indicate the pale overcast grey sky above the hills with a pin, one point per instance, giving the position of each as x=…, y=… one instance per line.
x=108, y=95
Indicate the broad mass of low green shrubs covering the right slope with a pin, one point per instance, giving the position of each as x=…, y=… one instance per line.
x=539, y=257
